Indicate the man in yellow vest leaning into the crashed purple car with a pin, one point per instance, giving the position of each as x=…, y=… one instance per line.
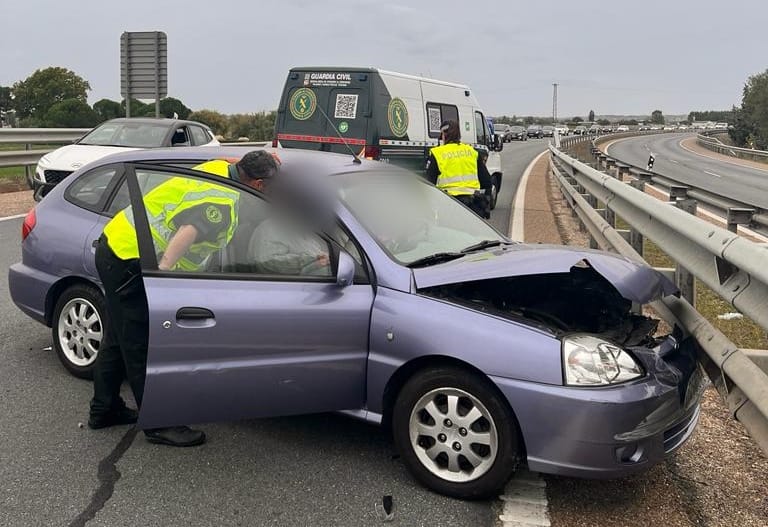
x=189, y=219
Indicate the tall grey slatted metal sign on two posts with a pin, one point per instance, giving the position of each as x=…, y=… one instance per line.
x=143, y=67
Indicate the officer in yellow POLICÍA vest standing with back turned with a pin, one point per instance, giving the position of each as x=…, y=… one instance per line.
x=458, y=170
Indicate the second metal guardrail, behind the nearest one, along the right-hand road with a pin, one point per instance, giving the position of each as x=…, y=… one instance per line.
x=735, y=212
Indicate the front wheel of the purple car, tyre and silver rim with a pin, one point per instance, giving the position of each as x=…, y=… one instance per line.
x=480, y=469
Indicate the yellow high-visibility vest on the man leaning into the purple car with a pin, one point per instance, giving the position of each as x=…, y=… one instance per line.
x=163, y=204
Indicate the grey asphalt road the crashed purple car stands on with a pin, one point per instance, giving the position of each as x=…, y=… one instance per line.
x=308, y=470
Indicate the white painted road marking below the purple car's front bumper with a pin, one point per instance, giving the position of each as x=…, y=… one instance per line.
x=525, y=501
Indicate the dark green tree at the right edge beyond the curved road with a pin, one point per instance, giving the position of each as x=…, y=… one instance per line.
x=751, y=126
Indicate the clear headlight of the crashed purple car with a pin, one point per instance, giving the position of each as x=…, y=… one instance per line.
x=591, y=361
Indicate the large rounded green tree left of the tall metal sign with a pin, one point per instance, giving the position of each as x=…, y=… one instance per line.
x=36, y=94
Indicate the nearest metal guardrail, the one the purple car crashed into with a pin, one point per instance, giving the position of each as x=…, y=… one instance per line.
x=730, y=265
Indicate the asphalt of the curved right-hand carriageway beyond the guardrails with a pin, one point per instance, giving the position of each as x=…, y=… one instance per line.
x=741, y=183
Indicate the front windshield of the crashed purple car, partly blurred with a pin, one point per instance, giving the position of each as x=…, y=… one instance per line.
x=411, y=219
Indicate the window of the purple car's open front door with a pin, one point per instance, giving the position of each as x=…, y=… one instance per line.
x=234, y=230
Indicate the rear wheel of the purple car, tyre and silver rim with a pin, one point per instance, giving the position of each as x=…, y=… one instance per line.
x=78, y=328
